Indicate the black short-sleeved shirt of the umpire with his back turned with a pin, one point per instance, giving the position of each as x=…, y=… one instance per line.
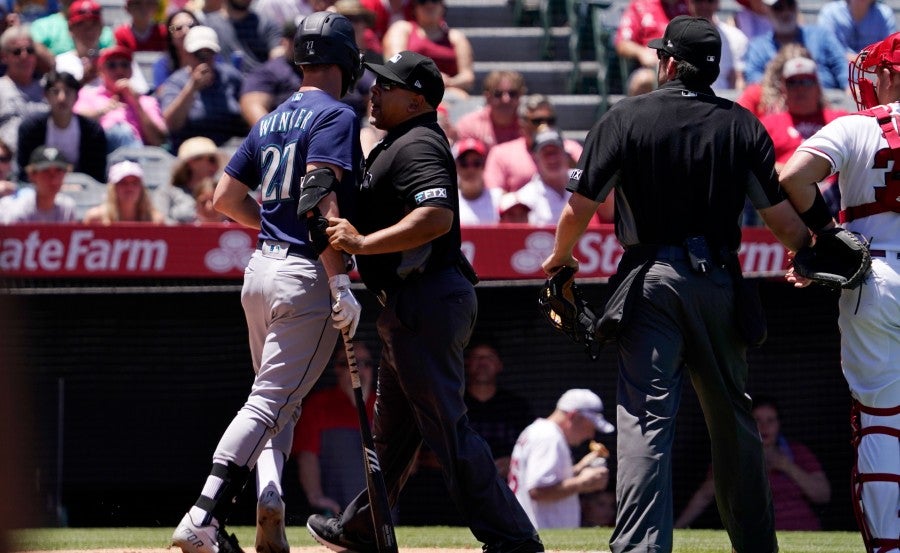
x=682, y=163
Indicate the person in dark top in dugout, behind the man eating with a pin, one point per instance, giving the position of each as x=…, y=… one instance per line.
x=497, y=414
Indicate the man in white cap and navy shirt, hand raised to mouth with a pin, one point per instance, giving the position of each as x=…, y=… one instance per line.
x=203, y=97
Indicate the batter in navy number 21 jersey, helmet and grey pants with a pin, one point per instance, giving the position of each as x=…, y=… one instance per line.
x=305, y=157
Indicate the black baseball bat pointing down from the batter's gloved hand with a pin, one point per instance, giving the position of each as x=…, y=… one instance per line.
x=379, y=506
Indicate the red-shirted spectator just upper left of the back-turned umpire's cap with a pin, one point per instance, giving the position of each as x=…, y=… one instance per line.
x=641, y=22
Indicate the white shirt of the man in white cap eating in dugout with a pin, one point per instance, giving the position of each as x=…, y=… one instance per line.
x=542, y=458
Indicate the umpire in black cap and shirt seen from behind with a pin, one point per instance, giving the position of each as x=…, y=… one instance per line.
x=681, y=162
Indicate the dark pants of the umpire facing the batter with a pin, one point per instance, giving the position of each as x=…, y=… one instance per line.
x=424, y=328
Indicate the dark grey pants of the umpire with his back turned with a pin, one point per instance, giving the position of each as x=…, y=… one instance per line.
x=685, y=322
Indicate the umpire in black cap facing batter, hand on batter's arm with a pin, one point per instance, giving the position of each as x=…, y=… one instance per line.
x=406, y=241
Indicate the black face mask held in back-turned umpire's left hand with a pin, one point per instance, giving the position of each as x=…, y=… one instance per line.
x=562, y=304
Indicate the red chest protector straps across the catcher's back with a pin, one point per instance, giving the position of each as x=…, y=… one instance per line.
x=887, y=198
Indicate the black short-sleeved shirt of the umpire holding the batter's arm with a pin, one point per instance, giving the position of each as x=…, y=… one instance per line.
x=411, y=167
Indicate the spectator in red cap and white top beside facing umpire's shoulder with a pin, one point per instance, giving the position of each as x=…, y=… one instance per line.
x=478, y=205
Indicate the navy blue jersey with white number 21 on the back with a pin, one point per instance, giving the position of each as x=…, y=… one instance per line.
x=308, y=127
